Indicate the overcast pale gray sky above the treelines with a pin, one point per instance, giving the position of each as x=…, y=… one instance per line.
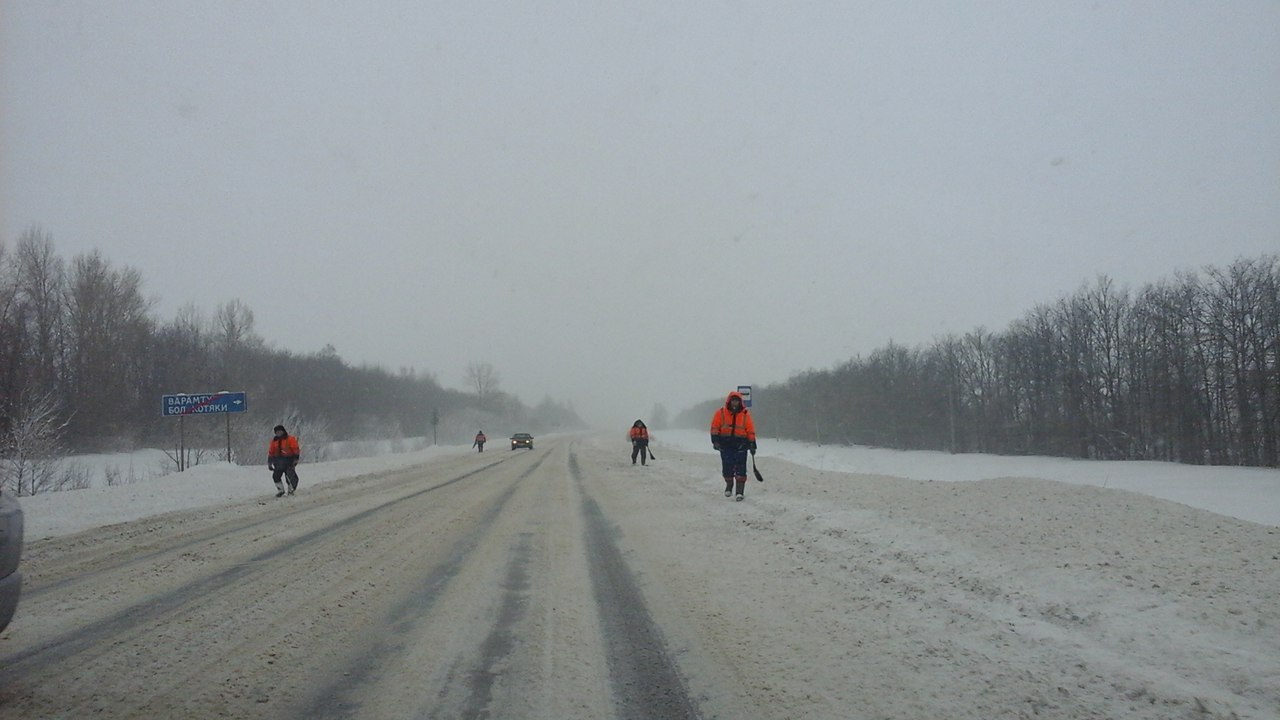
x=620, y=204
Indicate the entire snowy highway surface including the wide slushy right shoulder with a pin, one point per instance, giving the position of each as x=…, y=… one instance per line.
x=568, y=584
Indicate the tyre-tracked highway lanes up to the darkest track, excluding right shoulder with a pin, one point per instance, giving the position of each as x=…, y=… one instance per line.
x=465, y=590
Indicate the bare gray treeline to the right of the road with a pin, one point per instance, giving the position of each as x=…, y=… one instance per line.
x=1187, y=370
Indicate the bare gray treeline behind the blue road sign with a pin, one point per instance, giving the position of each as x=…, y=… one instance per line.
x=84, y=366
